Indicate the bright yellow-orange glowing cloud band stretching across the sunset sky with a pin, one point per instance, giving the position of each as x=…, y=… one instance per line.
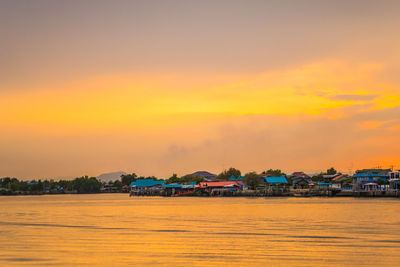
x=126, y=102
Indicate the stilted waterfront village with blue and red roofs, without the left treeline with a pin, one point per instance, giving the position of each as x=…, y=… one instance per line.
x=367, y=182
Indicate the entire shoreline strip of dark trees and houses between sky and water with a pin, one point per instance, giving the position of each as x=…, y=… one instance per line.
x=366, y=182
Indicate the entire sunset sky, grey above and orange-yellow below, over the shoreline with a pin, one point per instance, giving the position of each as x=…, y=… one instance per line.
x=163, y=87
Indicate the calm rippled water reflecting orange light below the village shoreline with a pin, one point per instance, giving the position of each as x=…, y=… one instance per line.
x=113, y=229
